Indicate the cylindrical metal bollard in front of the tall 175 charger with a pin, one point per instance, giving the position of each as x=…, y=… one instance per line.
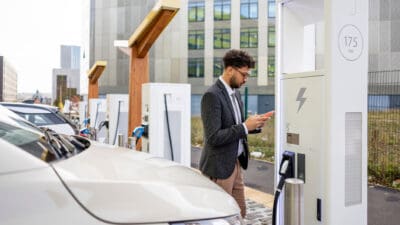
x=294, y=202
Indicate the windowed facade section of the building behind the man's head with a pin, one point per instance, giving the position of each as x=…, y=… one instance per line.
x=227, y=24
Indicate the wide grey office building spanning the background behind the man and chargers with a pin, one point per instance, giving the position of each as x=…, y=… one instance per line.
x=191, y=48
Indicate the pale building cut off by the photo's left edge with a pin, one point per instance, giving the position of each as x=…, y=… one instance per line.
x=8, y=81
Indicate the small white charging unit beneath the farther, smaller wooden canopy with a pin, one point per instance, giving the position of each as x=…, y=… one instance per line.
x=97, y=112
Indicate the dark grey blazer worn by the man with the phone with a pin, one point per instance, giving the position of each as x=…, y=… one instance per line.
x=221, y=133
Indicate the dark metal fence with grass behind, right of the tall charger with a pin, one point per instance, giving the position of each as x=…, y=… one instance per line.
x=384, y=127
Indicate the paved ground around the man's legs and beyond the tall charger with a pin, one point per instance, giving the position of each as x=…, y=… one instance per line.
x=383, y=203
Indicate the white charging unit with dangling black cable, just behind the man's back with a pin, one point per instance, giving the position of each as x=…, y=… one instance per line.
x=158, y=101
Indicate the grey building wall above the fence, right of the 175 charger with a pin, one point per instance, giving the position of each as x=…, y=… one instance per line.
x=384, y=55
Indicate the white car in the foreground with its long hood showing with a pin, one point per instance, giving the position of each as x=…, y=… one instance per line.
x=50, y=178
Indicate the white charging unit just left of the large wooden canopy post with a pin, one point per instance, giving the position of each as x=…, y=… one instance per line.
x=117, y=112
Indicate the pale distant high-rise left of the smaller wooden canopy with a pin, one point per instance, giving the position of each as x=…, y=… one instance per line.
x=66, y=80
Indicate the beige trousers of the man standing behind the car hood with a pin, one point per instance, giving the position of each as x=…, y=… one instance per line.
x=234, y=185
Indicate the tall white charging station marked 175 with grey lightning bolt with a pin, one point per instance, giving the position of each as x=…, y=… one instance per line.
x=321, y=105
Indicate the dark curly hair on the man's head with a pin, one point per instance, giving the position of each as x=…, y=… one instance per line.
x=238, y=58
